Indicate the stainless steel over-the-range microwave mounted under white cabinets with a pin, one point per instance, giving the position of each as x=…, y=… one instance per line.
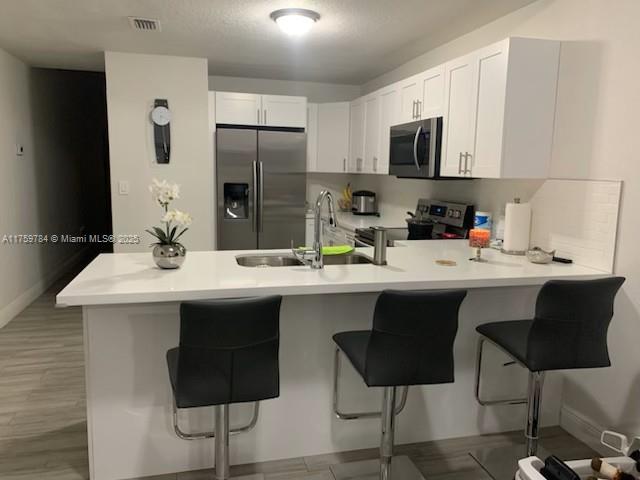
x=415, y=149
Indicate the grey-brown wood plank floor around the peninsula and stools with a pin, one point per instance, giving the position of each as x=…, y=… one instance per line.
x=43, y=423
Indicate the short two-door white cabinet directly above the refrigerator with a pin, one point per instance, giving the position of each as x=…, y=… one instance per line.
x=269, y=110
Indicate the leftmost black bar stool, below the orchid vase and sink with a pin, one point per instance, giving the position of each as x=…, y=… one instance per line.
x=228, y=353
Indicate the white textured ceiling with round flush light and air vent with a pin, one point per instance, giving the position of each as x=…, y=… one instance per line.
x=354, y=41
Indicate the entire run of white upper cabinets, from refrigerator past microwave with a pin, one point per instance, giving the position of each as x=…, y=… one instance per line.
x=497, y=103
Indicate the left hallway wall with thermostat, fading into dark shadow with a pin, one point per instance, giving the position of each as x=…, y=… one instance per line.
x=40, y=191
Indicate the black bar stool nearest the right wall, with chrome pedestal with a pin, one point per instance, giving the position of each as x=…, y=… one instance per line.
x=569, y=331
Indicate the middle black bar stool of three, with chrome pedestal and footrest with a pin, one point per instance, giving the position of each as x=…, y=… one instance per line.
x=411, y=343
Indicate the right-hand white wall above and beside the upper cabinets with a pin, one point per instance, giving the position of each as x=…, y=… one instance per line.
x=596, y=136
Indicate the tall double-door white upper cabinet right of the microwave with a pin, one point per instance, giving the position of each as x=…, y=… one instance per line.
x=500, y=110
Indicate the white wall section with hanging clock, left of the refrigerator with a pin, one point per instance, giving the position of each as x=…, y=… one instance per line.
x=133, y=82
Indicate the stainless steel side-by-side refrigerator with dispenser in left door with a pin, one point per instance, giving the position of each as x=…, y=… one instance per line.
x=261, y=188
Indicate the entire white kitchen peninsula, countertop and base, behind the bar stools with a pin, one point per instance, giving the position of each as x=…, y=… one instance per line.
x=130, y=315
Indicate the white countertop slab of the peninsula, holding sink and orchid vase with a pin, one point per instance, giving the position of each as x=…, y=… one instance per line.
x=133, y=277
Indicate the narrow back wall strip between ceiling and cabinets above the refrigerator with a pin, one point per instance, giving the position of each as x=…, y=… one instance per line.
x=314, y=91
